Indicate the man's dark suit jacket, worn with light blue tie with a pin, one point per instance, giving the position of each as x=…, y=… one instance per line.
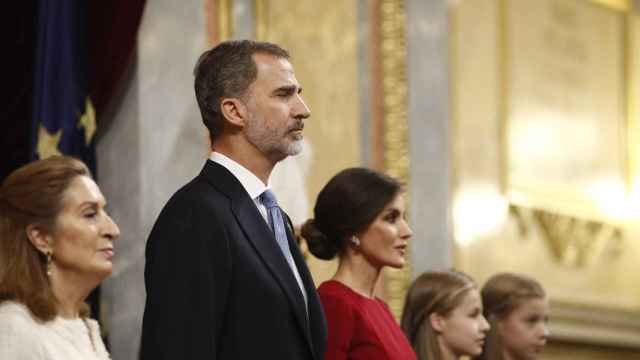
x=218, y=286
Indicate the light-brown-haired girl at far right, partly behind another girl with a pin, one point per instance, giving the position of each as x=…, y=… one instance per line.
x=517, y=308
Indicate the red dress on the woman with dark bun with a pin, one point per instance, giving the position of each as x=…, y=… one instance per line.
x=360, y=327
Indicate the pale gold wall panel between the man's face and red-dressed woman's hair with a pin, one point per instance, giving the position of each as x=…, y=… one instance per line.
x=322, y=40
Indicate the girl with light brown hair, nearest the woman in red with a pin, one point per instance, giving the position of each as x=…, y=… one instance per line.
x=443, y=318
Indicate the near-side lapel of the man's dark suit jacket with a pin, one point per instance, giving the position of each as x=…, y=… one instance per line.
x=262, y=239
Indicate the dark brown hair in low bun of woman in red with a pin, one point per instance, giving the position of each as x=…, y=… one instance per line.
x=346, y=206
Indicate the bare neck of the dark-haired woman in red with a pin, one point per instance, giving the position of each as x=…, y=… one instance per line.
x=358, y=274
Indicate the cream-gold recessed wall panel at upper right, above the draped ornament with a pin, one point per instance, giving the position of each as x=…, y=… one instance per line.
x=565, y=114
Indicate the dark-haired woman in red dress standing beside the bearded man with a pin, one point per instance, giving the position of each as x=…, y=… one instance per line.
x=359, y=217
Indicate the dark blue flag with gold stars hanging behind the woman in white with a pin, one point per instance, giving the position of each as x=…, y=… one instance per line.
x=63, y=120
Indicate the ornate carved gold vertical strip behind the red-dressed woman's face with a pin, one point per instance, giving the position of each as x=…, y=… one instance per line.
x=394, y=99
